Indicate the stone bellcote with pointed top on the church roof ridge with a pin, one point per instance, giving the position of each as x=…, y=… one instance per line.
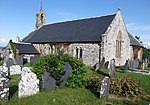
x=40, y=18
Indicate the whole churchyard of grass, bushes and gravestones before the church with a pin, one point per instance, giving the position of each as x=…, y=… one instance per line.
x=24, y=84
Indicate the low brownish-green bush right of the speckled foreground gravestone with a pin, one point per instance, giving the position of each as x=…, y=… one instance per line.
x=125, y=87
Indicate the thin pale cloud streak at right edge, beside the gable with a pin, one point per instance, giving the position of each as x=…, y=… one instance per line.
x=137, y=27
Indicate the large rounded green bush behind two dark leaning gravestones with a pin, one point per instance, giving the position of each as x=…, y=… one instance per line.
x=55, y=64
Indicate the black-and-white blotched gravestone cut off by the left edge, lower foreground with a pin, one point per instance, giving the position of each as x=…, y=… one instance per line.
x=4, y=88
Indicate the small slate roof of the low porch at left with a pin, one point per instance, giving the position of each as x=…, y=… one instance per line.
x=26, y=48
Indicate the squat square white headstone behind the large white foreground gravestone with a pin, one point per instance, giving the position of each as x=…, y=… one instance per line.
x=15, y=69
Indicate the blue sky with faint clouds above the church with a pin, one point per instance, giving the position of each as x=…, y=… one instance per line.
x=17, y=17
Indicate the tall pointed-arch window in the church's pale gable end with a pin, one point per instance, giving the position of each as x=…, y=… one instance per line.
x=118, y=44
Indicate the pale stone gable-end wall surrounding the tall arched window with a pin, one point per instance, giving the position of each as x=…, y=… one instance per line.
x=109, y=41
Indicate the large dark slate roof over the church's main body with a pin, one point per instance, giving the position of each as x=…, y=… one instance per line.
x=84, y=30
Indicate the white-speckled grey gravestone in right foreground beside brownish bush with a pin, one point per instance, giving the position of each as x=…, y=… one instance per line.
x=104, y=92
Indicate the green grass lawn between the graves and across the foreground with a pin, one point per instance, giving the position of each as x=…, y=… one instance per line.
x=69, y=96
